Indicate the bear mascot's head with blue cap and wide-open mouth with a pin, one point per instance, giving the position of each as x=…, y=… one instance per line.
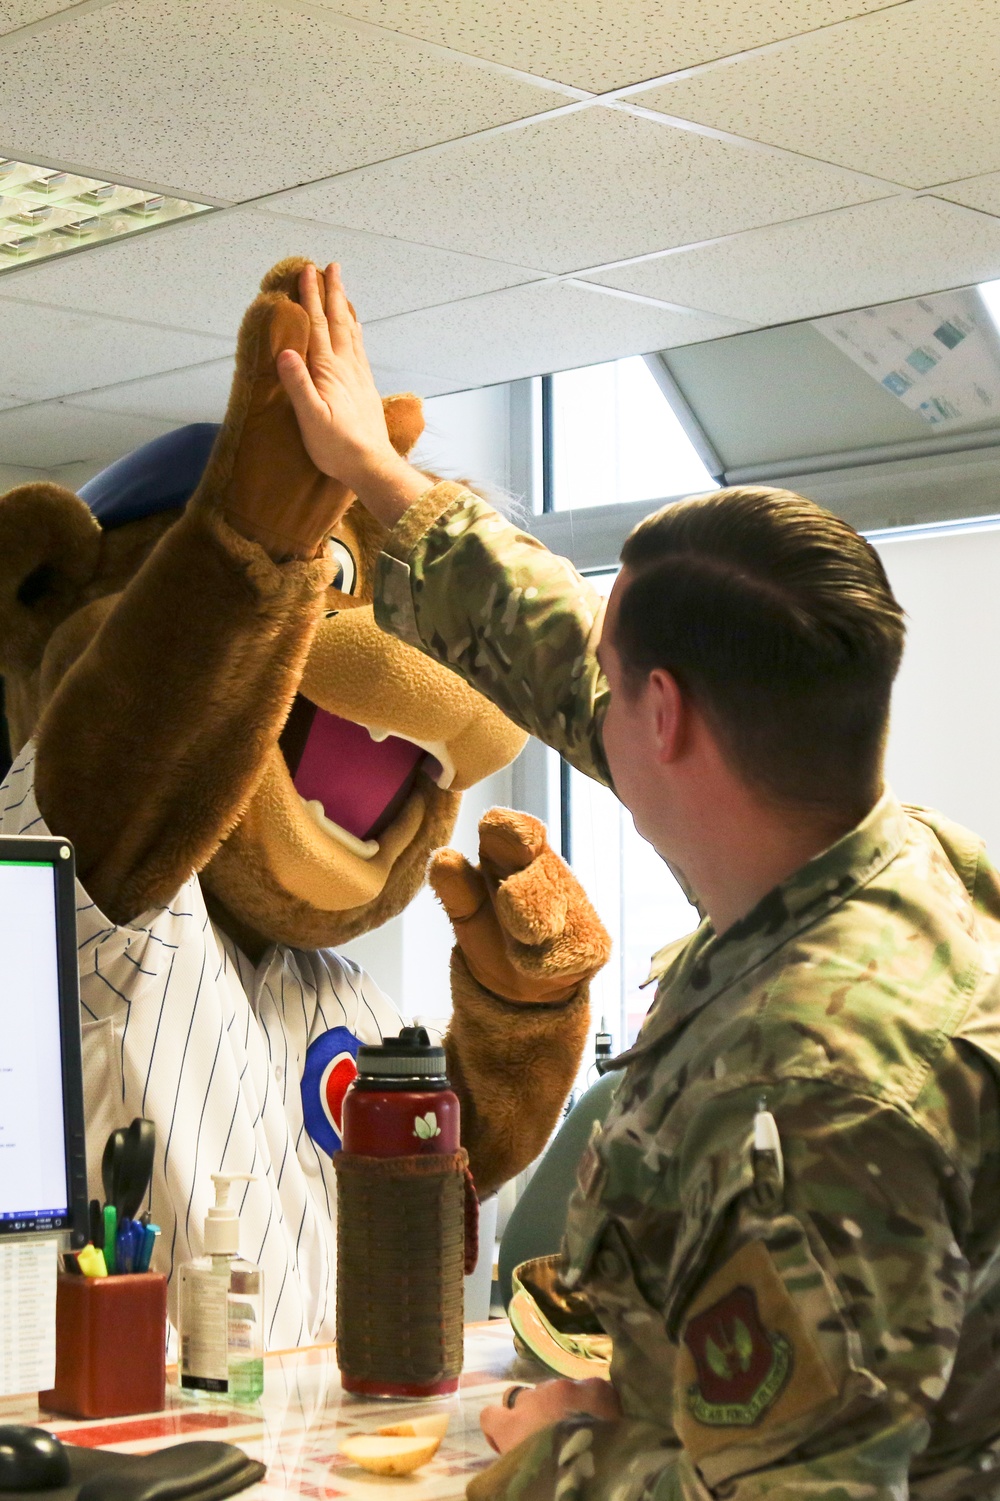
x=366, y=778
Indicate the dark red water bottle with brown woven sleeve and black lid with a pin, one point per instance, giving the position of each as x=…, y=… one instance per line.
x=406, y=1224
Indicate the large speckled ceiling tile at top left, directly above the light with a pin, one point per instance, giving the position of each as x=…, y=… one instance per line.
x=236, y=98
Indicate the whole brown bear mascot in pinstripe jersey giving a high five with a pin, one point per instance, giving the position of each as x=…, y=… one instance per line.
x=252, y=774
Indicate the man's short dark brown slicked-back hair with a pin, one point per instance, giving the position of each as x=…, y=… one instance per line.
x=779, y=621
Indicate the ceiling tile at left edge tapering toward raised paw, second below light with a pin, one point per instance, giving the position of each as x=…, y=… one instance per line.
x=49, y=352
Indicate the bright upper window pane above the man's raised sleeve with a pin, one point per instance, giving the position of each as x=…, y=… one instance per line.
x=616, y=439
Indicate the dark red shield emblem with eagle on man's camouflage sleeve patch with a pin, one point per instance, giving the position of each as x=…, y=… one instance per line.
x=741, y=1367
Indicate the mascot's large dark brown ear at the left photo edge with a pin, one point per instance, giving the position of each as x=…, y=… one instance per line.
x=50, y=546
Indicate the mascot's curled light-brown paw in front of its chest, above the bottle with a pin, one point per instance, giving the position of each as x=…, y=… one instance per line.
x=522, y=919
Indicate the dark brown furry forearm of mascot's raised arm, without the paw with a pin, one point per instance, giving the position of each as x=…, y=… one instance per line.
x=152, y=742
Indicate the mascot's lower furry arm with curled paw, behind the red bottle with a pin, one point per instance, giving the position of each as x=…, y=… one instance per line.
x=529, y=942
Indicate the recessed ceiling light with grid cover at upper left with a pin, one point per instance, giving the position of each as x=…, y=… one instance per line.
x=46, y=212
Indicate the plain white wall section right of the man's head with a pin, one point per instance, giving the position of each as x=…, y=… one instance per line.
x=945, y=739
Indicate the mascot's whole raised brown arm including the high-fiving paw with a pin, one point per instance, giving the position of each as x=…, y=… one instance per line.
x=155, y=729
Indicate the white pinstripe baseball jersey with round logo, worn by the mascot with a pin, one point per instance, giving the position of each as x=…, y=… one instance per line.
x=241, y=1066
